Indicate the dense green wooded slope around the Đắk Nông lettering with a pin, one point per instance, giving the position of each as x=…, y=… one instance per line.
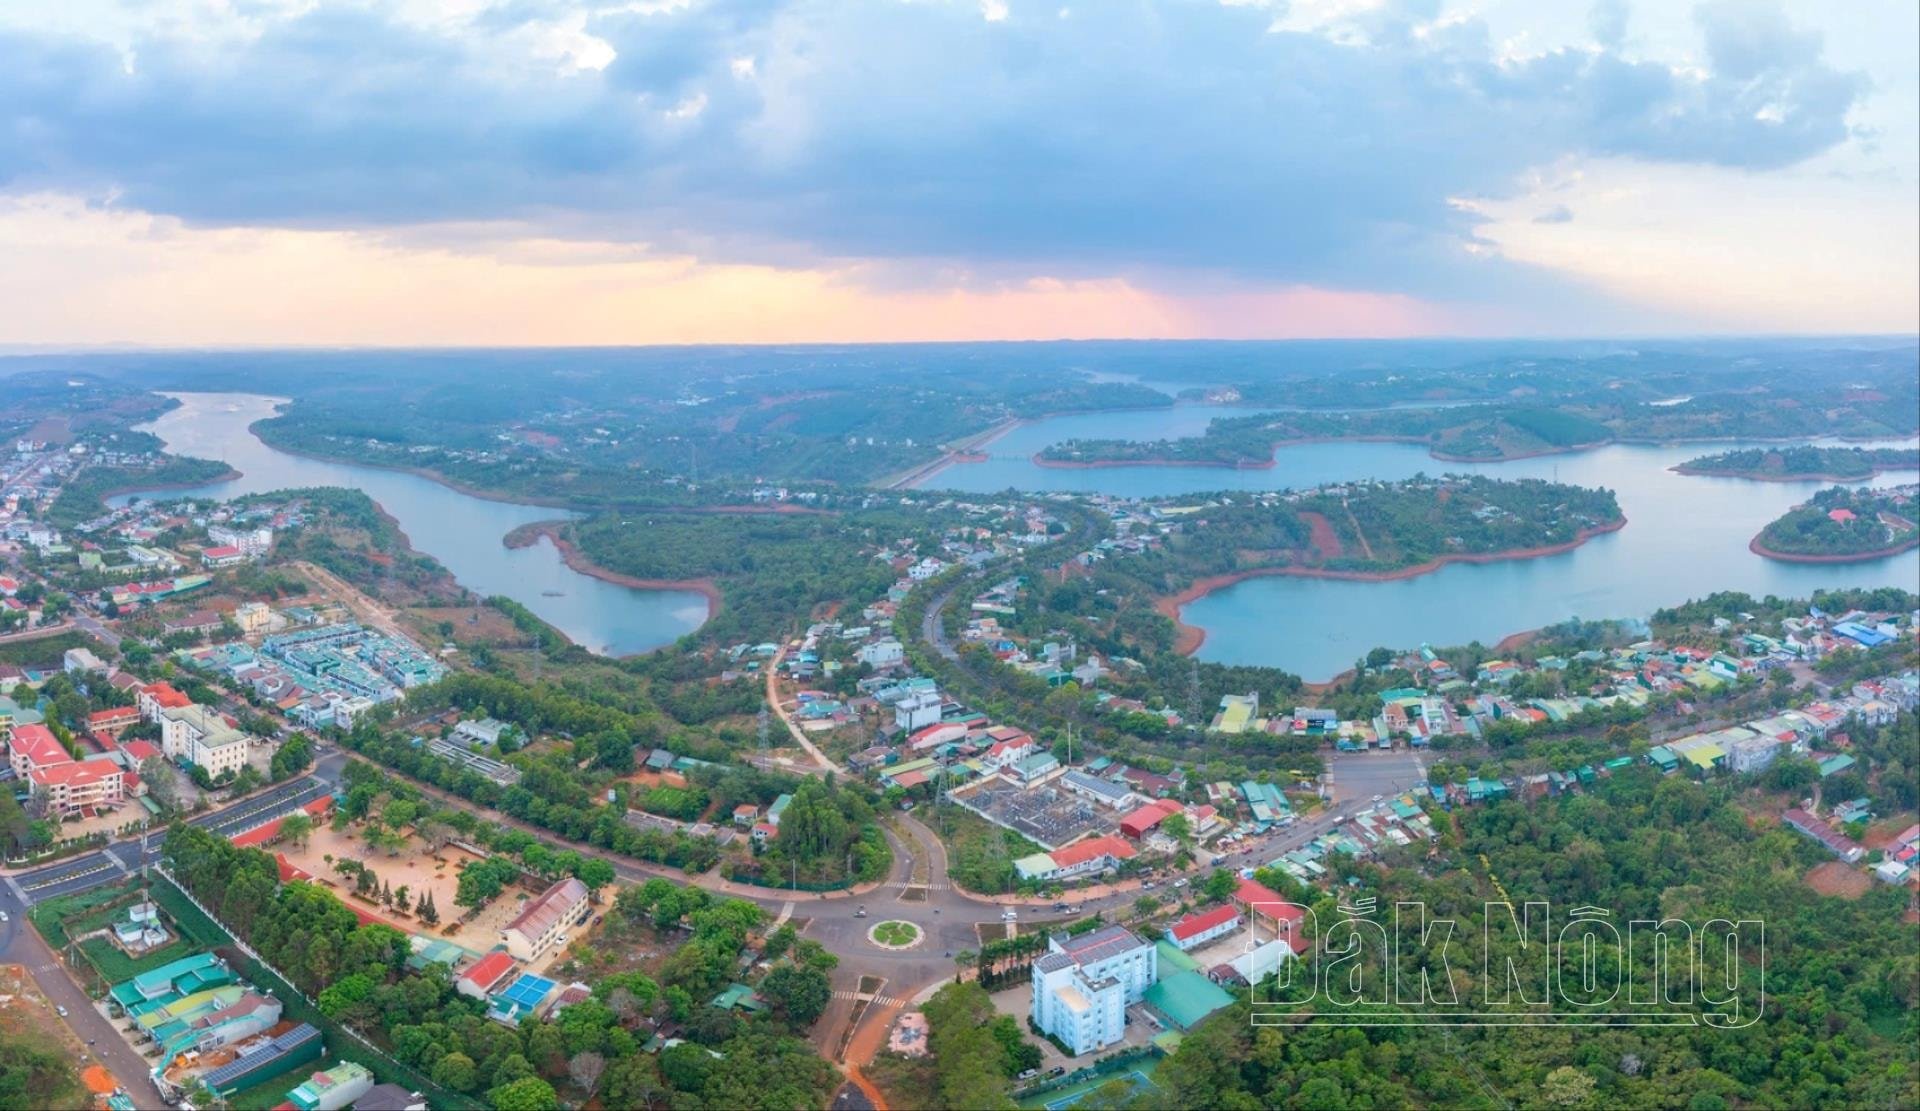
x=1838, y=1026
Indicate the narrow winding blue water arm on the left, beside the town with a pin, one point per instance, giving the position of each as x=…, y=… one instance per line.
x=460, y=531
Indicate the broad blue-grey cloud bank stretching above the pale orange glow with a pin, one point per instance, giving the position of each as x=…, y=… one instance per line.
x=1136, y=139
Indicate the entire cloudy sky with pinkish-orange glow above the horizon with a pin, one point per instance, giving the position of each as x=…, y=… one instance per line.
x=679, y=172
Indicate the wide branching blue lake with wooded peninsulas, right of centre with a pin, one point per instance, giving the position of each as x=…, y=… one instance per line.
x=1687, y=538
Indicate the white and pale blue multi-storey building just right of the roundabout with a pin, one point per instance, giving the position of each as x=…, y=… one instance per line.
x=1084, y=985
